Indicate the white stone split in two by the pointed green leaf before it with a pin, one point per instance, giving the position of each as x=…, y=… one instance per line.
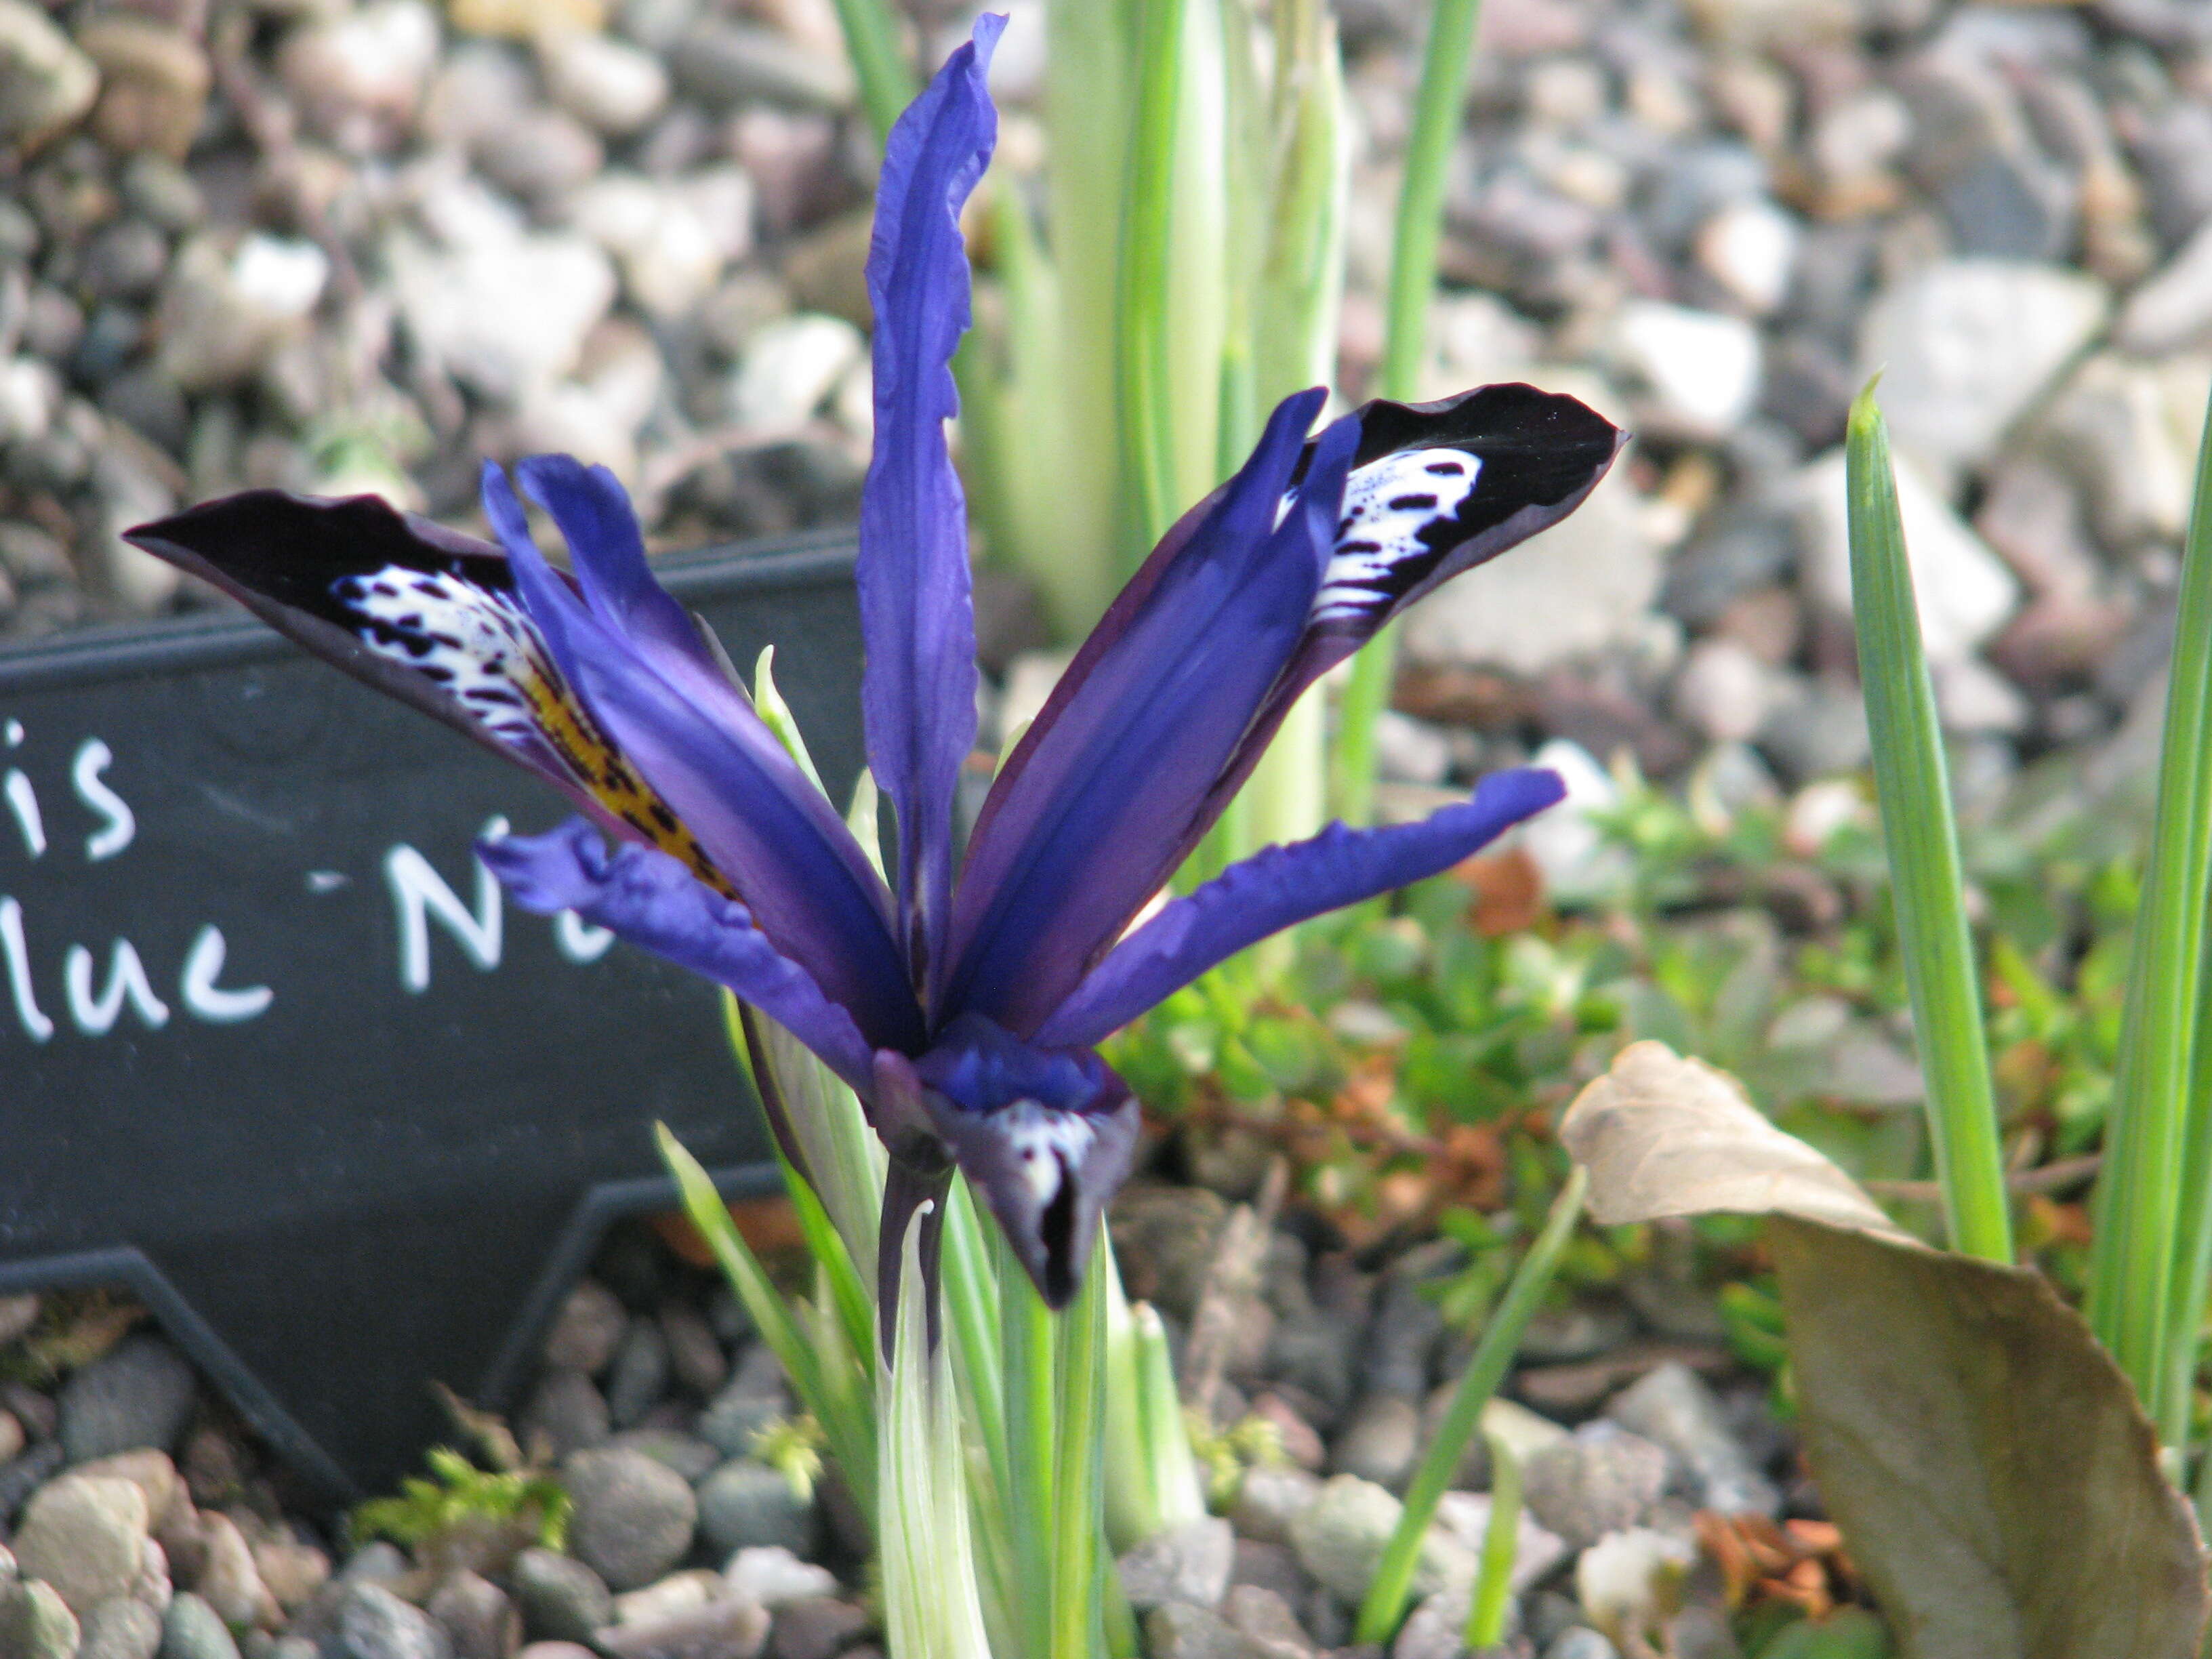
x=1963, y=592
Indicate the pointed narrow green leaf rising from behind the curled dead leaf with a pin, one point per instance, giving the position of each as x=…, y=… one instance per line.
x=1921, y=842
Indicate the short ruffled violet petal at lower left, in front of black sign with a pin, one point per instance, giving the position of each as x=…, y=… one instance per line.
x=651, y=901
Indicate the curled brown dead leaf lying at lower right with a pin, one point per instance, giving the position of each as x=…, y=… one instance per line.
x=1990, y=1468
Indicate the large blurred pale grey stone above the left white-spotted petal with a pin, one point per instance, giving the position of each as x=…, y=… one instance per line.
x=505, y=317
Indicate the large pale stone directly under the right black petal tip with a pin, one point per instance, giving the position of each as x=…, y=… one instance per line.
x=1576, y=589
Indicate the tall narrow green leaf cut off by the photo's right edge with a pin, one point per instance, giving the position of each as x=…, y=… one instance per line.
x=2167, y=1025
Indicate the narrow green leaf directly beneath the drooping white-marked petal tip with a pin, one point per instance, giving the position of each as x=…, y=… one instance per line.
x=1076, y=1594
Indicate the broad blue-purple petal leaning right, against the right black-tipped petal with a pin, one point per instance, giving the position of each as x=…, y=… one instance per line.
x=1092, y=824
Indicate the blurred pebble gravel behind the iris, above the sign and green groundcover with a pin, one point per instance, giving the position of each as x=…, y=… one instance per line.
x=355, y=247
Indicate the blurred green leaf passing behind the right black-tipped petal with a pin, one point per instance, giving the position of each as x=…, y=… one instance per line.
x=1412, y=286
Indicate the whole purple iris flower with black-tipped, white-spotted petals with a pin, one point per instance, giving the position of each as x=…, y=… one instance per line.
x=961, y=1008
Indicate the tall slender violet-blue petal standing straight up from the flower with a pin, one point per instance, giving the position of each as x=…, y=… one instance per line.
x=917, y=614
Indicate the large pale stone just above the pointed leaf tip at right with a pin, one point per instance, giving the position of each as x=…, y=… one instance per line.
x=1965, y=346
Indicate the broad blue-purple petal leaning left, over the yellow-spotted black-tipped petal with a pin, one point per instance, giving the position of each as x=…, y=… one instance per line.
x=766, y=828
